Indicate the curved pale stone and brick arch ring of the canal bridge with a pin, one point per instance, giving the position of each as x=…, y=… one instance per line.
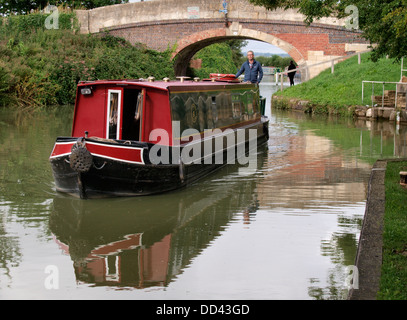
x=188, y=46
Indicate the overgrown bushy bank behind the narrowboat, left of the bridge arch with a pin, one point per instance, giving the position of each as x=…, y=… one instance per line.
x=40, y=67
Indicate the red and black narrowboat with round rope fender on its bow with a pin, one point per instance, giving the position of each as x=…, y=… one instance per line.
x=141, y=137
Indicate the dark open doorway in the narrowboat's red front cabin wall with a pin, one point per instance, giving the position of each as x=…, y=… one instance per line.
x=132, y=110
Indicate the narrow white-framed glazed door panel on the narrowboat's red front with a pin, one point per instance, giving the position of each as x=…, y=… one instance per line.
x=113, y=114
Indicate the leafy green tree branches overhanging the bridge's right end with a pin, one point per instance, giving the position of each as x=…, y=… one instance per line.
x=382, y=22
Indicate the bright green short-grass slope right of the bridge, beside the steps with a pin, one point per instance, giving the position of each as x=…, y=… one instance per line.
x=334, y=93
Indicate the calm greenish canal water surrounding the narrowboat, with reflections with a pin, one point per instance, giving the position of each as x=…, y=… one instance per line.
x=287, y=230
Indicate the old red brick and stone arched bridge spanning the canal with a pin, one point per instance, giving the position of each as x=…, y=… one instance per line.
x=190, y=25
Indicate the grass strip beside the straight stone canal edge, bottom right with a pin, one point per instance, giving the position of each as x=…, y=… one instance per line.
x=393, y=284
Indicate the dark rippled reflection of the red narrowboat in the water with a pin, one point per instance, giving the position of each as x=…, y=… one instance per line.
x=147, y=241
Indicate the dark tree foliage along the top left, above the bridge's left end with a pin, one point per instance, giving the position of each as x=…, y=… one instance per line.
x=8, y=7
